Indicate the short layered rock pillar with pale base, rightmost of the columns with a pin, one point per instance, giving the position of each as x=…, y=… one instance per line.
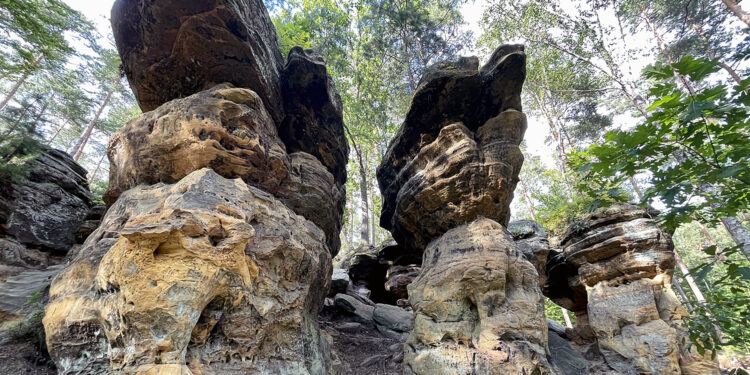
x=625, y=263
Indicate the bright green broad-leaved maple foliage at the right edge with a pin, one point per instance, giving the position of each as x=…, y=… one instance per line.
x=693, y=146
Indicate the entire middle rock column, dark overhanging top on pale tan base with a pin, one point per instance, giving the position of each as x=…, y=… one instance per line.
x=447, y=180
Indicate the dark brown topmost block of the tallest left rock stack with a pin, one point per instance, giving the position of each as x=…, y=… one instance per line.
x=164, y=46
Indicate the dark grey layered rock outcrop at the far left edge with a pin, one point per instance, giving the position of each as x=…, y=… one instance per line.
x=41, y=218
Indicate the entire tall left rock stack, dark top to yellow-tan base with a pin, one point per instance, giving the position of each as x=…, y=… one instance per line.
x=226, y=202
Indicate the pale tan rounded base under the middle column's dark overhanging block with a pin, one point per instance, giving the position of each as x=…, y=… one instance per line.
x=477, y=307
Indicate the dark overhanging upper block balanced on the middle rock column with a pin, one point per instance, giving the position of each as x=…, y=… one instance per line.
x=412, y=175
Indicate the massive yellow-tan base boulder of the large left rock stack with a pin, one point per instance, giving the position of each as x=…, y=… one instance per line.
x=207, y=273
